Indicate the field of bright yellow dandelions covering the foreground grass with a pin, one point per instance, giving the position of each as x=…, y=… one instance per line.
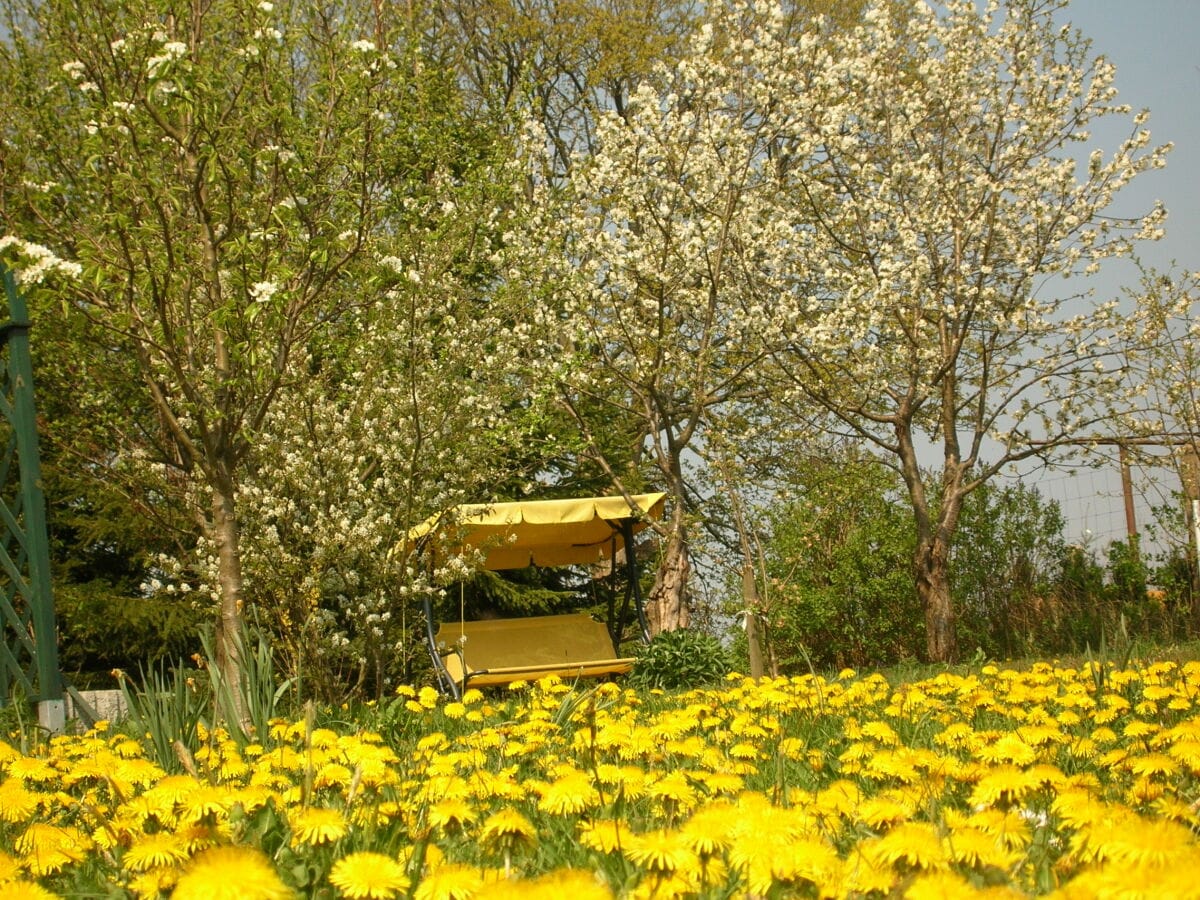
x=1072, y=782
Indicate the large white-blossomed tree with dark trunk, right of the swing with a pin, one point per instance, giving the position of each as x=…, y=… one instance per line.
x=947, y=197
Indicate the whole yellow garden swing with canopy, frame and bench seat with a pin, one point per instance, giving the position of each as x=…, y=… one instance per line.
x=548, y=533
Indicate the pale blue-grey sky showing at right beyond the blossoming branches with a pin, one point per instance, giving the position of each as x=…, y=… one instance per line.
x=1156, y=49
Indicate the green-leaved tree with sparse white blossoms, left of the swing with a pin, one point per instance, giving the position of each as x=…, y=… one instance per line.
x=218, y=172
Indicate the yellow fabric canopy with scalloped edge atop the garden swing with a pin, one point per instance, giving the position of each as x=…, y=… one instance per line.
x=513, y=536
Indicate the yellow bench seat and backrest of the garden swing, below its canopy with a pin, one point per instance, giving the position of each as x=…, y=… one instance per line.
x=503, y=651
